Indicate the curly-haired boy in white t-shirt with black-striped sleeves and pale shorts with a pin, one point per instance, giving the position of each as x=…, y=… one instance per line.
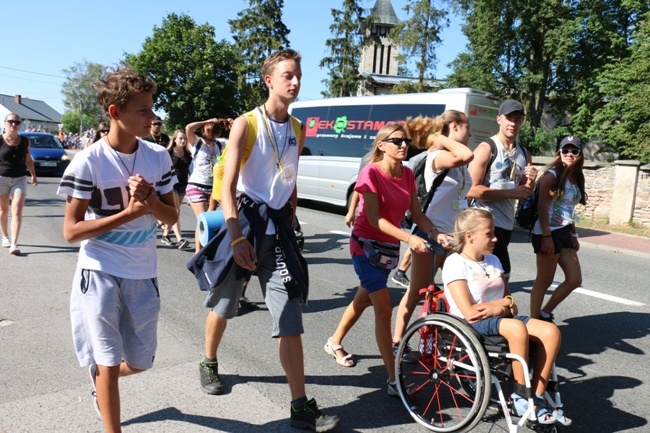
x=115, y=191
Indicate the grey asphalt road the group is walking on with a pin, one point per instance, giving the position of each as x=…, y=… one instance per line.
x=603, y=362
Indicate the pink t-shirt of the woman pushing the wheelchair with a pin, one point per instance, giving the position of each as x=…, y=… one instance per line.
x=394, y=199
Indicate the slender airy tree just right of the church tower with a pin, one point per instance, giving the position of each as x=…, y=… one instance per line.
x=419, y=35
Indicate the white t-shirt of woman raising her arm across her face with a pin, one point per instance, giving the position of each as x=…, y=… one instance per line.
x=454, y=188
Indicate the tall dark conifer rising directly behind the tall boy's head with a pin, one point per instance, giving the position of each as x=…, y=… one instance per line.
x=258, y=31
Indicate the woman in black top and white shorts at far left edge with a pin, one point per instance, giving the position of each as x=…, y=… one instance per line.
x=15, y=159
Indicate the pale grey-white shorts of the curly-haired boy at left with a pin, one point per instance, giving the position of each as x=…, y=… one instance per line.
x=114, y=319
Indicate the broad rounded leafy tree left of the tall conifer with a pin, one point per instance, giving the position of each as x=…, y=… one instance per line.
x=196, y=75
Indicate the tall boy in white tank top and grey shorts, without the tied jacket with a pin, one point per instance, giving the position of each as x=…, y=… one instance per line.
x=267, y=178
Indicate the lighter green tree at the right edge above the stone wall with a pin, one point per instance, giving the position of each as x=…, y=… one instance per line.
x=624, y=121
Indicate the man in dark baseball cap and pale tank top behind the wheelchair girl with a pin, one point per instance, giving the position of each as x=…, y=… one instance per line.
x=502, y=174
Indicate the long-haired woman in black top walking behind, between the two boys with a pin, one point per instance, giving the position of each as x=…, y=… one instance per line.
x=181, y=159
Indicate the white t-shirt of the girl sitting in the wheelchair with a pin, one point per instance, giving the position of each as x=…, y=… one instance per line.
x=484, y=279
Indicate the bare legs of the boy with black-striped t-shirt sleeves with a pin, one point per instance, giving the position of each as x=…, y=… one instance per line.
x=108, y=393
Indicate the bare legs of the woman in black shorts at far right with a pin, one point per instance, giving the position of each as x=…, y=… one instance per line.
x=546, y=267
